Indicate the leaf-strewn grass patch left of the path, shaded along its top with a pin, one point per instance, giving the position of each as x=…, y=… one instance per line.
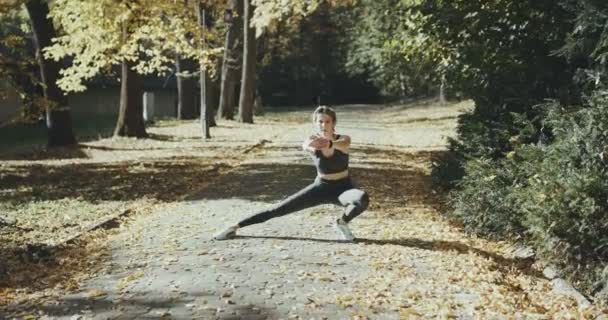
x=49, y=202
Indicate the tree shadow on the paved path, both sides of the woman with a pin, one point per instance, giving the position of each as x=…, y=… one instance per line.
x=388, y=184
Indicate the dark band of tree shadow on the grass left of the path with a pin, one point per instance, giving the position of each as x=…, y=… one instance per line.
x=164, y=180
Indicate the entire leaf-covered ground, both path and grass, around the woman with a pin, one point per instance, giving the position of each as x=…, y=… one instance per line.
x=172, y=191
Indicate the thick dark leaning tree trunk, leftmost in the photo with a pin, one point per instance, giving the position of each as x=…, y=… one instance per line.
x=58, y=118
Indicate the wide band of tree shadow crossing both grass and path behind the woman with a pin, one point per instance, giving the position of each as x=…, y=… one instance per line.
x=169, y=179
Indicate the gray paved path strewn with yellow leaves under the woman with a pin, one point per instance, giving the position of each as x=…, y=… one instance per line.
x=407, y=262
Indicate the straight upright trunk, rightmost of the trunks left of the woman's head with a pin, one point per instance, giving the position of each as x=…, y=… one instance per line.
x=249, y=66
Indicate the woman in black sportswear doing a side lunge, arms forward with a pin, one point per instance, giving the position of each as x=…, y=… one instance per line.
x=329, y=152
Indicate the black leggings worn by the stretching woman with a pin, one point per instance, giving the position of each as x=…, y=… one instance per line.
x=341, y=192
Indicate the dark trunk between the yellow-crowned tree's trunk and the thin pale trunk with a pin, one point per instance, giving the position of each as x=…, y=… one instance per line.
x=186, y=89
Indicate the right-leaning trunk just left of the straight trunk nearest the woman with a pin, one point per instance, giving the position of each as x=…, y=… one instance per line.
x=231, y=62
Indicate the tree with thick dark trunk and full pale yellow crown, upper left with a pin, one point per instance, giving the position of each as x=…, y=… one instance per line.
x=142, y=36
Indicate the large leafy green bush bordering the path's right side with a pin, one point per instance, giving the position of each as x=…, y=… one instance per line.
x=553, y=196
